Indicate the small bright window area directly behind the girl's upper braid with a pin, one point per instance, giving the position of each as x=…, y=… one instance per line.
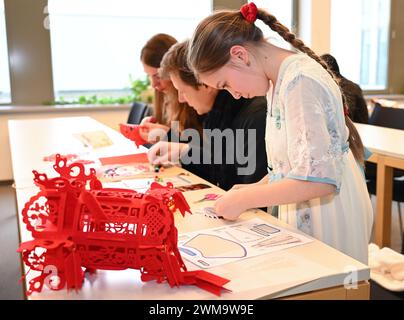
x=283, y=11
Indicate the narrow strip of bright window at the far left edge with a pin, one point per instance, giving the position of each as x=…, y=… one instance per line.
x=5, y=96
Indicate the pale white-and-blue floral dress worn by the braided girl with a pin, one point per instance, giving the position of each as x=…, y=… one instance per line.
x=307, y=140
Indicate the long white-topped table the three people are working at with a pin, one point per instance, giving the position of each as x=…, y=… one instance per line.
x=274, y=275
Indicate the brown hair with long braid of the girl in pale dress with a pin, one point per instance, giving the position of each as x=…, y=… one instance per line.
x=209, y=50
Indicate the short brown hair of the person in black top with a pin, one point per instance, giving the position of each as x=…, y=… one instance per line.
x=175, y=61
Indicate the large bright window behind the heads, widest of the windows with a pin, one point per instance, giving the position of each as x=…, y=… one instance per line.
x=96, y=43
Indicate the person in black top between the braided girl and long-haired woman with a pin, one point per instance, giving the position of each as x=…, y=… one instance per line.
x=224, y=164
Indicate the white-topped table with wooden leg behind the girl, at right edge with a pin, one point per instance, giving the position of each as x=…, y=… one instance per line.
x=387, y=146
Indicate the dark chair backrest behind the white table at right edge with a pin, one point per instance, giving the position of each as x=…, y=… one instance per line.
x=387, y=117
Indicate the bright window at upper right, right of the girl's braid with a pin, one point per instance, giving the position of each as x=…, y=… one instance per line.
x=360, y=40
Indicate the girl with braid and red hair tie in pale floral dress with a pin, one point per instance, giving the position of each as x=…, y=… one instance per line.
x=314, y=151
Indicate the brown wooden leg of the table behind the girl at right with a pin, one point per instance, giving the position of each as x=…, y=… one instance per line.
x=384, y=195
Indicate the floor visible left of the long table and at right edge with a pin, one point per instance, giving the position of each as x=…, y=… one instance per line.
x=10, y=288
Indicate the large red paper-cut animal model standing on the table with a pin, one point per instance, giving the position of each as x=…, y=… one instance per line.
x=75, y=227
